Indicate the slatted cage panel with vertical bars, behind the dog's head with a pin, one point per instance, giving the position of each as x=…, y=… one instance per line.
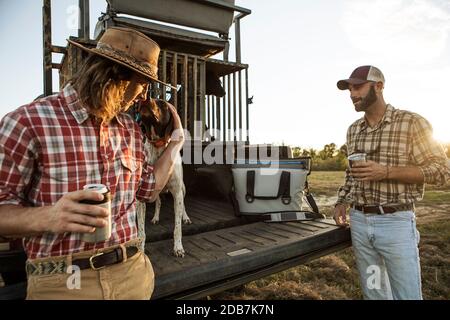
x=196, y=105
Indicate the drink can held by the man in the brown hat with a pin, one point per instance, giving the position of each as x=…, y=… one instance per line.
x=104, y=233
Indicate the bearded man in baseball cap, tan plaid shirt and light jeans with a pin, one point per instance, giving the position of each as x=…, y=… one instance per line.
x=401, y=157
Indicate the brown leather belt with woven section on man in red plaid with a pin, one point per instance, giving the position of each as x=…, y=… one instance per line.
x=95, y=262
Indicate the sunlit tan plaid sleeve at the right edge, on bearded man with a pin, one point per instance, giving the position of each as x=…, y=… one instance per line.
x=428, y=154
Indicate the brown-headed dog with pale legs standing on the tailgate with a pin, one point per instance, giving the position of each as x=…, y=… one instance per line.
x=157, y=124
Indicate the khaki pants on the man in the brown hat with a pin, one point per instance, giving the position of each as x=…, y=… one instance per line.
x=132, y=279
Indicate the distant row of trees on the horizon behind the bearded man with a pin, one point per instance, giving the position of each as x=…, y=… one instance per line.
x=332, y=158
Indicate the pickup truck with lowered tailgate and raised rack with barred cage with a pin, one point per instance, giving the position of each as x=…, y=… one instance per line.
x=223, y=248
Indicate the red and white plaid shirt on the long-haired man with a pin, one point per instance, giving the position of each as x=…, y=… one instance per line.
x=51, y=147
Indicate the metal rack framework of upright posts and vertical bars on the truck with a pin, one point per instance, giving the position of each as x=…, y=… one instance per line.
x=229, y=119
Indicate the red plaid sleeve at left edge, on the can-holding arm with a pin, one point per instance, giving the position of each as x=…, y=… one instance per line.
x=17, y=159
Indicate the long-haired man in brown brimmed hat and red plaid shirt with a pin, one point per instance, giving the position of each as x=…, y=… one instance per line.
x=51, y=148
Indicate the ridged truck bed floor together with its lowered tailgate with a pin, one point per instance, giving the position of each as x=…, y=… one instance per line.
x=223, y=250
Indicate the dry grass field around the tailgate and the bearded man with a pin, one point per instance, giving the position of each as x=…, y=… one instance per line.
x=335, y=276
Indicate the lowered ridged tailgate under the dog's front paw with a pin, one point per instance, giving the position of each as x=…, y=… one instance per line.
x=219, y=259
